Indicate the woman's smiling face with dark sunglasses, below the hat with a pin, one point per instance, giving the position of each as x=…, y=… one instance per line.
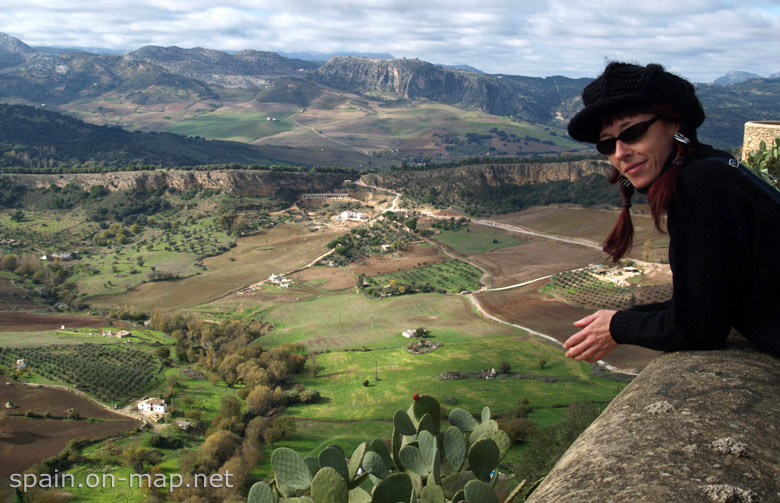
x=640, y=160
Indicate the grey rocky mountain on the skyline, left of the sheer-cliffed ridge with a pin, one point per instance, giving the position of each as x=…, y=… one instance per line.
x=242, y=69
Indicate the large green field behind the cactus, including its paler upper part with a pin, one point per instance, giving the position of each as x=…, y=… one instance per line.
x=351, y=412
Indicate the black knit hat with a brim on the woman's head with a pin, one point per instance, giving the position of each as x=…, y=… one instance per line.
x=625, y=85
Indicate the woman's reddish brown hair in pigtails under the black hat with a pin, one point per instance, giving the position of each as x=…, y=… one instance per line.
x=660, y=192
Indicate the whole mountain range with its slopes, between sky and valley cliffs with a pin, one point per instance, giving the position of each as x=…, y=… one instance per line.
x=174, y=89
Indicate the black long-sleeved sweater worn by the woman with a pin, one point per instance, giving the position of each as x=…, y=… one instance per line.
x=724, y=252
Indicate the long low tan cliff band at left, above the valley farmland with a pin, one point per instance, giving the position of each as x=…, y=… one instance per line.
x=236, y=182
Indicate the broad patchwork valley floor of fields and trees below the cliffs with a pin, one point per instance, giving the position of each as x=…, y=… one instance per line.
x=204, y=257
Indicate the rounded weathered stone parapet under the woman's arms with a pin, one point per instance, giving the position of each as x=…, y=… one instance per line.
x=694, y=426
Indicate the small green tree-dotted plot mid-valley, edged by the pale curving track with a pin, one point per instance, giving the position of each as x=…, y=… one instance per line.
x=452, y=276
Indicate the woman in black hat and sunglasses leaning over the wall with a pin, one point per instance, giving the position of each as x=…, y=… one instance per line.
x=724, y=232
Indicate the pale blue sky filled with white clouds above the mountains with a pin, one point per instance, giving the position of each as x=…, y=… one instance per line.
x=699, y=39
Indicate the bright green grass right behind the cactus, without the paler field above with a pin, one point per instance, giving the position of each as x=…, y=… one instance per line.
x=351, y=413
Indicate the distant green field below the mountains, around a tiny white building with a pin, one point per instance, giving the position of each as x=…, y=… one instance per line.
x=229, y=124
